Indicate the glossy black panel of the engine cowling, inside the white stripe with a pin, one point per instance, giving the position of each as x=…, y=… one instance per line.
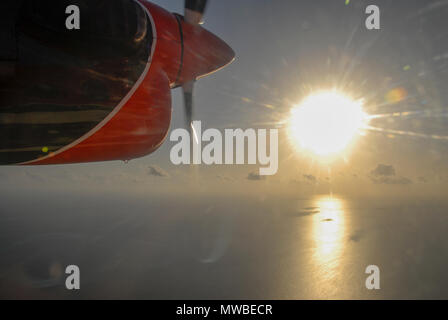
x=57, y=84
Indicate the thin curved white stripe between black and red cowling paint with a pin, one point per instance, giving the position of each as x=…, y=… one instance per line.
x=118, y=107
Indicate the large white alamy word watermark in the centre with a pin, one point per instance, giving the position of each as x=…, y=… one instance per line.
x=226, y=148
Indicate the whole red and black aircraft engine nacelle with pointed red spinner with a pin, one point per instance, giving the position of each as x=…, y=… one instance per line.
x=101, y=92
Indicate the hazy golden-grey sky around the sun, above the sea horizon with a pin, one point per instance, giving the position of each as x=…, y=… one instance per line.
x=286, y=50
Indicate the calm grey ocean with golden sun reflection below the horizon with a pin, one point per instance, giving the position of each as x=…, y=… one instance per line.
x=221, y=248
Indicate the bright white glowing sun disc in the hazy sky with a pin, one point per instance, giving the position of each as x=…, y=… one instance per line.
x=326, y=123
